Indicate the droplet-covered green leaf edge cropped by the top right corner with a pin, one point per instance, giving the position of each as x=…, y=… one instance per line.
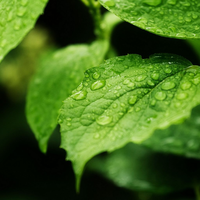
x=170, y=18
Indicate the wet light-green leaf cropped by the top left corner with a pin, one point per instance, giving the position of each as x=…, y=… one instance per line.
x=17, y=18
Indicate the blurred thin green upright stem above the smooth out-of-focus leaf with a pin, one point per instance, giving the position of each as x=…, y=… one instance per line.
x=94, y=9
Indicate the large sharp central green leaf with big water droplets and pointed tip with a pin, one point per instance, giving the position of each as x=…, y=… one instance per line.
x=125, y=100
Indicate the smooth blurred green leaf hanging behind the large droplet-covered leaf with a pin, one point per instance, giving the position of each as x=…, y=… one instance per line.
x=58, y=74
